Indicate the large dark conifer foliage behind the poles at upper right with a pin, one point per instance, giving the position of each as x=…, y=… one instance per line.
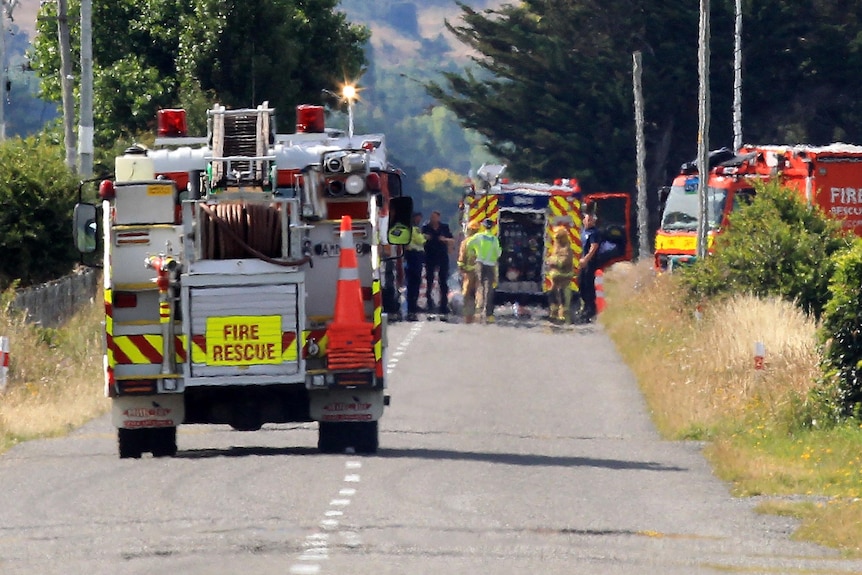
x=550, y=85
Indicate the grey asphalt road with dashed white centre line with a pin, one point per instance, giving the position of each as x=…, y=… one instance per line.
x=508, y=449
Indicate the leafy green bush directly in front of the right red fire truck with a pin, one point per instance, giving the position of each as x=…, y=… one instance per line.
x=777, y=245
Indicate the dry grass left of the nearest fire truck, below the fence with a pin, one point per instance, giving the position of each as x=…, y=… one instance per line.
x=55, y=377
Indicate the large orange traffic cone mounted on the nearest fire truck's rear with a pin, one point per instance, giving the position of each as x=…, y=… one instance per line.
x=351, y=339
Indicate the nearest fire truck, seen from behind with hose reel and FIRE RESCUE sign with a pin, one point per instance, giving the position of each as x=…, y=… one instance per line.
x=243, y=280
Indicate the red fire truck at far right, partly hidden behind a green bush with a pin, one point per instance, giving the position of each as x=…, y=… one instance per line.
x=829, y=177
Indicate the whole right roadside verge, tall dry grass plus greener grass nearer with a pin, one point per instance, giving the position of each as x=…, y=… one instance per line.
x=695, y=367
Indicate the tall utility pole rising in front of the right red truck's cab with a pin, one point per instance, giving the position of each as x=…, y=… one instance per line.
x=703, y=132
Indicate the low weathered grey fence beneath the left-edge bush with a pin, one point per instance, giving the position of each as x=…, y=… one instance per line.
x=50, y=304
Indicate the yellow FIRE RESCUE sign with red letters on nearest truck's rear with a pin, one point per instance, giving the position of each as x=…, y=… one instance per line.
x=244, y=340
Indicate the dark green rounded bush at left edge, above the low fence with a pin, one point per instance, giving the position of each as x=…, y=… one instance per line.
x=37, y=196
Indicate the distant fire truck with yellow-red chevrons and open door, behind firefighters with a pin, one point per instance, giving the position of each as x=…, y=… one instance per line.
x=524, y=216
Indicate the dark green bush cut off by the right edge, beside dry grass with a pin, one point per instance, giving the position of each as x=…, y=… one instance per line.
x=841, y=333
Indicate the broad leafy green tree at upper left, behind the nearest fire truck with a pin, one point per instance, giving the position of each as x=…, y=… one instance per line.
x=151, y=54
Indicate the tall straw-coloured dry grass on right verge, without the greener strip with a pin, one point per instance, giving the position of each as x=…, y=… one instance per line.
x=699, y=373
